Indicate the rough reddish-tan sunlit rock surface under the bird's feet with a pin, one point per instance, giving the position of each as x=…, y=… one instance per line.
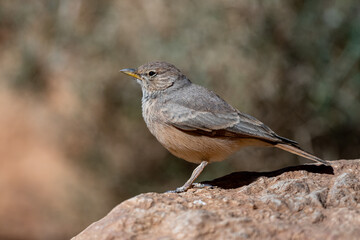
x=303, y=202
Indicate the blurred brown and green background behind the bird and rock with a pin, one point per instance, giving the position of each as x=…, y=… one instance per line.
x=73, y=143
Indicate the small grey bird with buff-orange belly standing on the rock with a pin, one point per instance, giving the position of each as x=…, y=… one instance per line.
x=195, y=124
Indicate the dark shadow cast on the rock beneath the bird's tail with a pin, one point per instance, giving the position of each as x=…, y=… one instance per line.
x=239, y=179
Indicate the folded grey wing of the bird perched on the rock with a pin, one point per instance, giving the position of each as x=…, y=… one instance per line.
x=206, y=113
